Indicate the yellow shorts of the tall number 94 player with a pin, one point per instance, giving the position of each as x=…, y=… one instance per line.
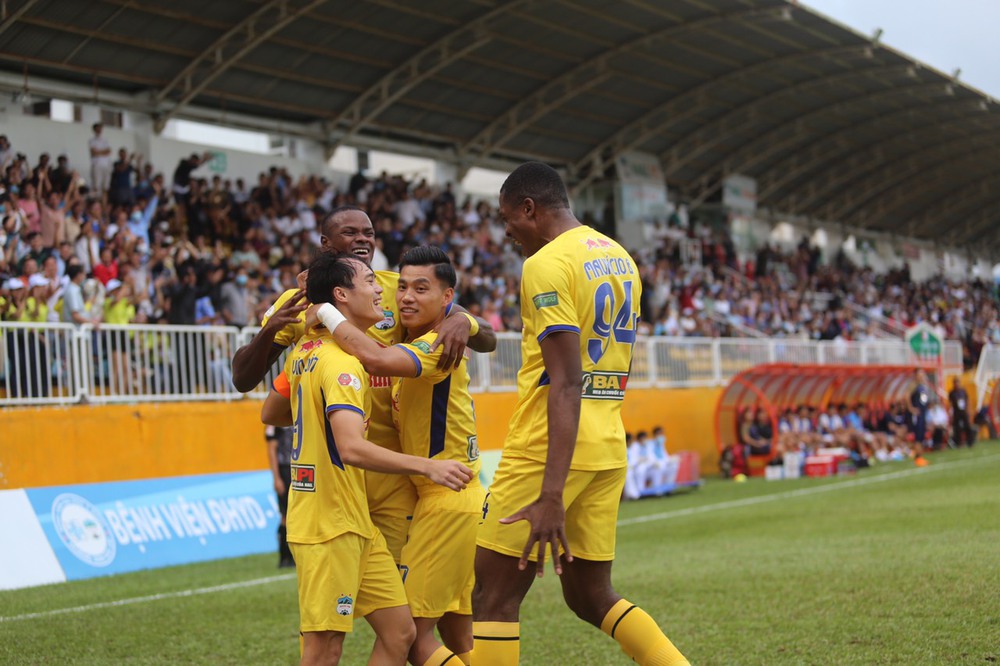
x=591, y=500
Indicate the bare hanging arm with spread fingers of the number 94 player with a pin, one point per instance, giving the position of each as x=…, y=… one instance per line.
x=547, y=514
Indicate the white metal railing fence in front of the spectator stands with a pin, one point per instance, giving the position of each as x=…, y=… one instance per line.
x=64, y=364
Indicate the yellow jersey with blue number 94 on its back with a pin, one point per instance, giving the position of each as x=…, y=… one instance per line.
x=584, y=282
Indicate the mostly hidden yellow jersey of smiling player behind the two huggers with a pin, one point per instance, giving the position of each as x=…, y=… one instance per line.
x=387, y=332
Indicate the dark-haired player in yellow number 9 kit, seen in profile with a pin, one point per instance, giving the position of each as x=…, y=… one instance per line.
x=344, y=566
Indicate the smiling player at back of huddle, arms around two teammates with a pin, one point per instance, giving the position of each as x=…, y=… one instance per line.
x=348, y=230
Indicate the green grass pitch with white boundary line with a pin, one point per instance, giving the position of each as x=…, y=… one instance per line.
x=896, y=565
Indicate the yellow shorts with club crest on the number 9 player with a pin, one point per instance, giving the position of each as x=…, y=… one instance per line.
x=344, y=577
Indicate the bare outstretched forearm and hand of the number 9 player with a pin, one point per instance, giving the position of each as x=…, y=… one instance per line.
x=347, y=426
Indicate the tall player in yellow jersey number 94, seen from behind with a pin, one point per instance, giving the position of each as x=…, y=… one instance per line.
x=560, y=479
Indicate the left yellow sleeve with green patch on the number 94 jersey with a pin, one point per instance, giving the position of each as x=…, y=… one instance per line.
x=548, y=293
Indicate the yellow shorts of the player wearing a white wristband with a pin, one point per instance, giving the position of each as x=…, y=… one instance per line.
x=438, y=558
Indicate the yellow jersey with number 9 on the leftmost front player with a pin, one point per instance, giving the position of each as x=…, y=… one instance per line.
x=326, y=497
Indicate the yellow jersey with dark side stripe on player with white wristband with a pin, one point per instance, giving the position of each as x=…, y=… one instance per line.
x=434, y=411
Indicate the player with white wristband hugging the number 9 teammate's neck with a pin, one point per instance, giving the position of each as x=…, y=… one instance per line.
x=436, y=419
